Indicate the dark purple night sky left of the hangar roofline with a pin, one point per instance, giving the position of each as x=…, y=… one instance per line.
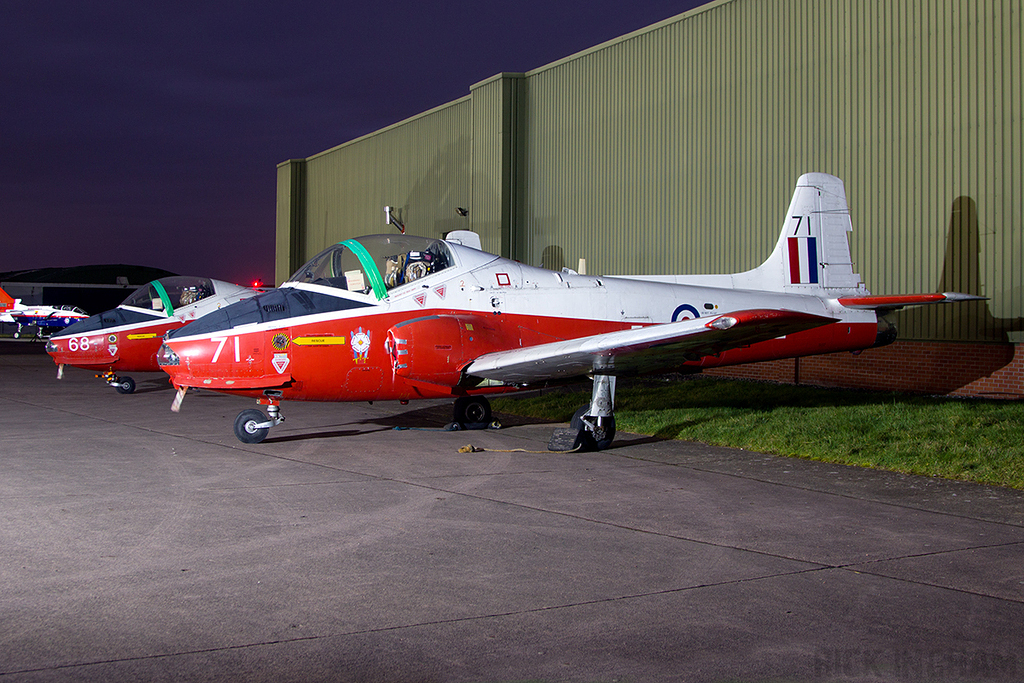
x=150, y=135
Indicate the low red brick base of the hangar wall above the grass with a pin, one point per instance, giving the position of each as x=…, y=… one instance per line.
x=985, y=371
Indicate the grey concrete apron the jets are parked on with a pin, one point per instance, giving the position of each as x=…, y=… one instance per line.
x=140, y=544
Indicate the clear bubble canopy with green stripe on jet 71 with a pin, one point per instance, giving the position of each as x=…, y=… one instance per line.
x=375, y=265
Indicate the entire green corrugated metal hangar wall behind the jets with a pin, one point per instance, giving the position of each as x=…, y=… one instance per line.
x=676, y=150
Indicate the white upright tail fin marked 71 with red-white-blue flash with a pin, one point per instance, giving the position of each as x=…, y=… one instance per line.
x=813, y=254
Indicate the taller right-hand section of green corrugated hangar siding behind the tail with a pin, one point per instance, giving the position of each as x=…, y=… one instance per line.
x=675, y=150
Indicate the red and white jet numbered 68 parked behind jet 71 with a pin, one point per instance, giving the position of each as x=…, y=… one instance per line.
x=127, y=338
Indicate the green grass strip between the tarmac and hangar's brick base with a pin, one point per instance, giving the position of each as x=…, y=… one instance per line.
x=957, y=439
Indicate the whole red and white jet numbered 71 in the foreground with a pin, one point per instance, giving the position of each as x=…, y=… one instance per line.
x=397, y=317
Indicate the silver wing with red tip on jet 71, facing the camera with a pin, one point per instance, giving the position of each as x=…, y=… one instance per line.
x=654, y=349
